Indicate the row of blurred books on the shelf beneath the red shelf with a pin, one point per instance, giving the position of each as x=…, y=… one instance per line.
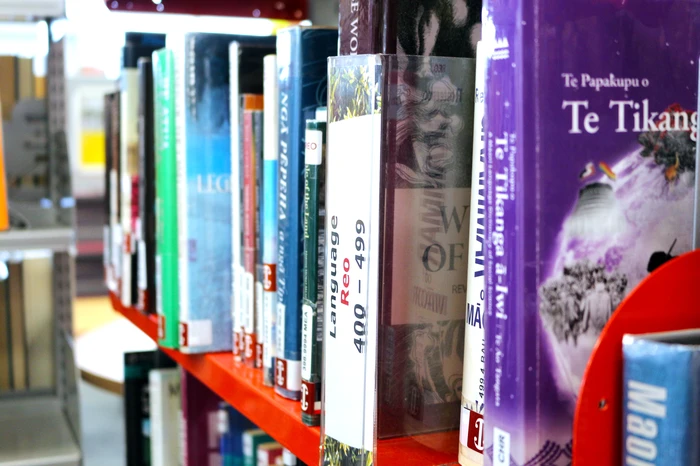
x=173, y=418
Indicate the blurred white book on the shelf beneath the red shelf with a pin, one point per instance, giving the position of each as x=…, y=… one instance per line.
x=164, y=388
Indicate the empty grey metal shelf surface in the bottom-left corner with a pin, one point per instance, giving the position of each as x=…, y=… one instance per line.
x=35, y=432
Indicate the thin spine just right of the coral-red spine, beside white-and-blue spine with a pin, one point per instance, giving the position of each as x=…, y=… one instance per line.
x=259, y=234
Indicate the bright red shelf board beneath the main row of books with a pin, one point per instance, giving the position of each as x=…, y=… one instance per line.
x=242, y=387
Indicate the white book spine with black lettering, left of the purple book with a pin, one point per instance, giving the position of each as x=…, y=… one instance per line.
x=471, y=448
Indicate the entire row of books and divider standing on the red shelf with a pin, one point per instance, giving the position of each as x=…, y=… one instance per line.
x=483, y=218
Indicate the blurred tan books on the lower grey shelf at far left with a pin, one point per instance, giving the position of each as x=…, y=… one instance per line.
x=27, y=324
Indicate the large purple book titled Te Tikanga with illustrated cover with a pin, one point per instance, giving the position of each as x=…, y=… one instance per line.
x=590, y=173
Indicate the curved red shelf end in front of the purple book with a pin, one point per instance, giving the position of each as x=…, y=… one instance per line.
x=669, y=299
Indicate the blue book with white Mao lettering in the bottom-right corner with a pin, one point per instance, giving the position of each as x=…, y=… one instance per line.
x=661, y=422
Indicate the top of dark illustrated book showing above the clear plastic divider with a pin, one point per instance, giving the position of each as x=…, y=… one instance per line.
x=447, y=28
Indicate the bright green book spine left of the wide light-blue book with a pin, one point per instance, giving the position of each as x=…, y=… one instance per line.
x=167, y=292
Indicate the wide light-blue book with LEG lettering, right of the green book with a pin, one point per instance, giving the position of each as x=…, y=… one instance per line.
x=203, y=149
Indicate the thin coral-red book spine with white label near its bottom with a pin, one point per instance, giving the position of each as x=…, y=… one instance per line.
x=249, y=238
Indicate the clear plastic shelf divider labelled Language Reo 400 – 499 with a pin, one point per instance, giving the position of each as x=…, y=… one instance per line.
x=397, y=222
